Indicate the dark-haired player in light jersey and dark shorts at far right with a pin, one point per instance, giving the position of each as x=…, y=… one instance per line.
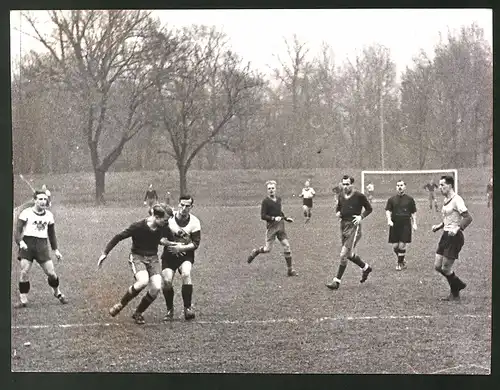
x=456, y=218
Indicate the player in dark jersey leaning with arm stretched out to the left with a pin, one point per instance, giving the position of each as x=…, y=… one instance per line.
x=143, y=260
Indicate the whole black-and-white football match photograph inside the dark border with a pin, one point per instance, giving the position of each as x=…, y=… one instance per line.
x=263, y=191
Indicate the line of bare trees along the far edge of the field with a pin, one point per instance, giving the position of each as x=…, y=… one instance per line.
x=117, y=90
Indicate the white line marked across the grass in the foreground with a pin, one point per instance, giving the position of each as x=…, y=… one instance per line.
x=260, y=322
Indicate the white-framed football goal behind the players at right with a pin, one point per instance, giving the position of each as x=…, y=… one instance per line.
x=384, y=182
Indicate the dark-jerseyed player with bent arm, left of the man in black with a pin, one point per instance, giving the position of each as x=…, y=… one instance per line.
x=349, y=206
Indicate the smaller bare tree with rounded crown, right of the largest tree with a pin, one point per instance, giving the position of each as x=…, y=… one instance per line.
x=203, y=94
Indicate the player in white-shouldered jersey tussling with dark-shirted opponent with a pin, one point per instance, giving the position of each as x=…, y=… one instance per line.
x=183, y=237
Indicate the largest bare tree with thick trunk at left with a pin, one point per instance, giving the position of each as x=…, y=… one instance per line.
x=93, y=53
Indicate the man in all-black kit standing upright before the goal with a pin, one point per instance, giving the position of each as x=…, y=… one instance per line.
x=401, y=213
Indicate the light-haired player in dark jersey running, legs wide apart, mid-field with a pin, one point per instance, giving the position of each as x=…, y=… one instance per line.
x=271, y=212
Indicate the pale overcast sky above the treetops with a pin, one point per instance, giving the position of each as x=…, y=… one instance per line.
x=257, y=35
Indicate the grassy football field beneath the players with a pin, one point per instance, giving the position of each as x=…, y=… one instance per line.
x=253, y=318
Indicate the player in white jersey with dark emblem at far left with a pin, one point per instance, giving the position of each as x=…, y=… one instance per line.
x=34, y=226
